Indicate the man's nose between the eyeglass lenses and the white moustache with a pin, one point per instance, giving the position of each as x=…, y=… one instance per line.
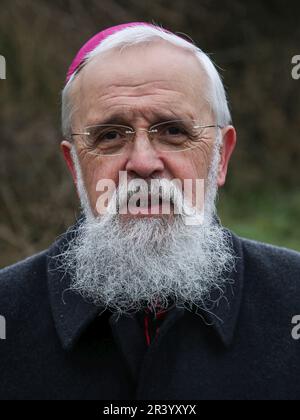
x=143, y=160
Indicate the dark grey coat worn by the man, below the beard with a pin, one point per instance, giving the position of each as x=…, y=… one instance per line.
x=59, y=347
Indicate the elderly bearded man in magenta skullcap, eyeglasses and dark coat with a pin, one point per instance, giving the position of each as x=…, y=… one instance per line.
x=148, y=296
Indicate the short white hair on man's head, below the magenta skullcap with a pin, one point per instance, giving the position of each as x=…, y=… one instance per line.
x=144, y=34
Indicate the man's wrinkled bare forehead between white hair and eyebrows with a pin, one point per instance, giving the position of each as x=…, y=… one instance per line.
x=142, y=69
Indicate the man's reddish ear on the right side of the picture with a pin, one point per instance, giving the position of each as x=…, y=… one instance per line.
x=228, y=146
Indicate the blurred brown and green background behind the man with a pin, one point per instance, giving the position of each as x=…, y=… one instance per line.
x=253, y=44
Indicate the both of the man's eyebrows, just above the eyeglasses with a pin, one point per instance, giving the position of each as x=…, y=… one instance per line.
x=123, y=119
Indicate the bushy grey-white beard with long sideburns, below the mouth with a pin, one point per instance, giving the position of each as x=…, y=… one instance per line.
x=139, y=263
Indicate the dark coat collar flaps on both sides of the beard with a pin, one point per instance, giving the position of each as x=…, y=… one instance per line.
x=72, y=314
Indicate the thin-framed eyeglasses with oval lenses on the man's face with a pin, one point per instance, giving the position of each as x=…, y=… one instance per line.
x=169, y=136
